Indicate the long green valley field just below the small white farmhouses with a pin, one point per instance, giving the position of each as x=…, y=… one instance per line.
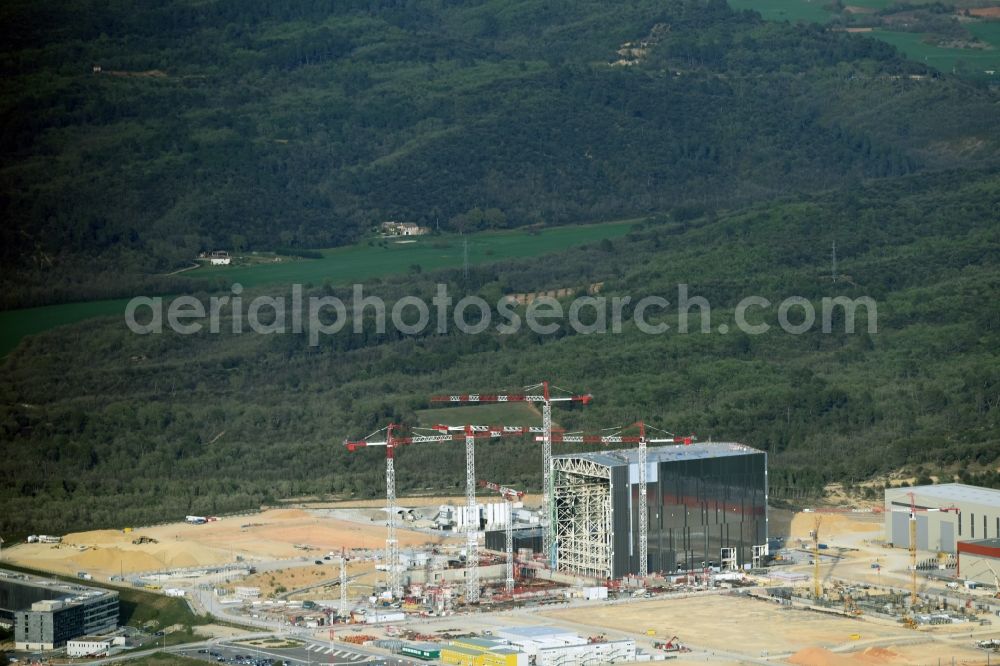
x=344, y=265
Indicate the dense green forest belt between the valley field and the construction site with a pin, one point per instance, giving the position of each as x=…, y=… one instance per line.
x=103, y=427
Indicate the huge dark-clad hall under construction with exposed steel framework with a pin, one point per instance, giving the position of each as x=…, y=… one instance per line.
x=707, y=506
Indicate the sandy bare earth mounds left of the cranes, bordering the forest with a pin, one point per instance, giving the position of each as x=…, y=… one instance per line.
x=268, y=535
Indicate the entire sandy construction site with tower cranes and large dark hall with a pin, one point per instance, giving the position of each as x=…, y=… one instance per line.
x=635, y=551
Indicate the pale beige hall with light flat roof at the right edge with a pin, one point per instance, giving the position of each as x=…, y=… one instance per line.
x=946, y=514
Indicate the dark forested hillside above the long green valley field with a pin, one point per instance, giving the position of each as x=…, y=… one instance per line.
x=136, y=134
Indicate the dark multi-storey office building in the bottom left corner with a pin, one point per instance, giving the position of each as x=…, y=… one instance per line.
x=47, y=613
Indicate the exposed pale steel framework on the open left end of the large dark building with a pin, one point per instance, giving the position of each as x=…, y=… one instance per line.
x=582, y=501
